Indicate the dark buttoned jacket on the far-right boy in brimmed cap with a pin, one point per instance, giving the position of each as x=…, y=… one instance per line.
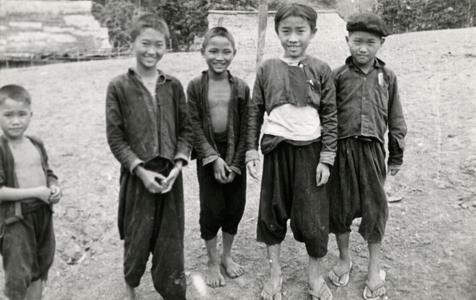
x=369, y=104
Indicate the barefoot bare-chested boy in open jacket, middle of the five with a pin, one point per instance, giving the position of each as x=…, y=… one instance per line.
x=217, y=105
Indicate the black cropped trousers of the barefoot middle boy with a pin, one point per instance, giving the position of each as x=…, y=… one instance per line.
x=221, y=205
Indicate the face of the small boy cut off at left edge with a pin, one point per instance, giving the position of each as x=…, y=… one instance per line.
x=15, y=117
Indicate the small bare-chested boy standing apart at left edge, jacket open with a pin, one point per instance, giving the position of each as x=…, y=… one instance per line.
x=28, y=189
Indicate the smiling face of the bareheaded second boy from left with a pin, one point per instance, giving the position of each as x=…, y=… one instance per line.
x=149, y=47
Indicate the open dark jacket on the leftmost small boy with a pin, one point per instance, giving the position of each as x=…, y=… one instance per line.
x=10, y=211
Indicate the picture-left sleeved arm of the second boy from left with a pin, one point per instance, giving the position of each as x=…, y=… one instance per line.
x=115, y=132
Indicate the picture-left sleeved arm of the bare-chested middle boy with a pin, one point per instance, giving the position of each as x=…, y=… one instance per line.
x=204, y=150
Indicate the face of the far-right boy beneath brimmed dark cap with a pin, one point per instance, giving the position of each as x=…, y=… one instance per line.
x=363, y=47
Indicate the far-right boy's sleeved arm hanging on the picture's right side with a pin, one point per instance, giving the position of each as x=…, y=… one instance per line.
x=397, y=128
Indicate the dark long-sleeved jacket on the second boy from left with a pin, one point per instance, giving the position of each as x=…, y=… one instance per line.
x=140, y=128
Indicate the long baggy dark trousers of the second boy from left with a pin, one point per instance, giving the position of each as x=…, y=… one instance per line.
x=153, y=224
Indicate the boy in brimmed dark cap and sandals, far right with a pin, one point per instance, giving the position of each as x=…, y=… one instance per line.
x=367, y=105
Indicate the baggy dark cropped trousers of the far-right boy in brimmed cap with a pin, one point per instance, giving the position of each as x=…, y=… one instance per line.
x=356, y=188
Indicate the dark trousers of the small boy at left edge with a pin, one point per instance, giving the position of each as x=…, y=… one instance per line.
x=28, y=248
